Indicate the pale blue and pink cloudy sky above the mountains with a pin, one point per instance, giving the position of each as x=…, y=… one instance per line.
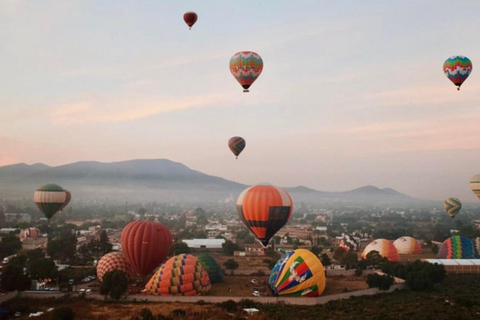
x=352, y=92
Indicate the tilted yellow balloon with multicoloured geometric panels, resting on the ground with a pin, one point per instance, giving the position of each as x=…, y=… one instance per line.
x=298, y=273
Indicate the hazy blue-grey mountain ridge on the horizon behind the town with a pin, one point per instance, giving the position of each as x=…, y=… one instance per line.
x=156, y=180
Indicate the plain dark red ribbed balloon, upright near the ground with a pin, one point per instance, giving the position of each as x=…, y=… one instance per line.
x=145, y=245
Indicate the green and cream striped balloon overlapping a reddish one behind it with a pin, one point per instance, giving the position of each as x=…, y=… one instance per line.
x=49, y=199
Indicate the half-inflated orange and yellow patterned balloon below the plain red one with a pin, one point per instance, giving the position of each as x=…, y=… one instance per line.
x=180, y=275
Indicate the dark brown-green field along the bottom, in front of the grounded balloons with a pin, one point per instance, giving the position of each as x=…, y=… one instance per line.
x=457, y=299
